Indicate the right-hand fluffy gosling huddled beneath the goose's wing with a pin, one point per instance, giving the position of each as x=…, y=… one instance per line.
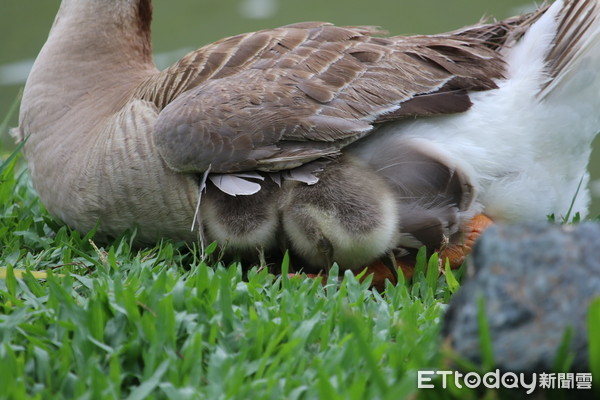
x=350, y=216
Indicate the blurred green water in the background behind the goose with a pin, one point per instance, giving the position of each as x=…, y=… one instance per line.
x=183, y=25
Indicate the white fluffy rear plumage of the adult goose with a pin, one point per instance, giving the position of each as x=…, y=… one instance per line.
x=526, y=151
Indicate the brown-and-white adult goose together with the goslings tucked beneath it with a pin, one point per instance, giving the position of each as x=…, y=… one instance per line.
x=338, y=142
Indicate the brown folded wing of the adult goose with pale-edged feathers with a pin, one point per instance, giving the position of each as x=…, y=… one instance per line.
x=276, y=99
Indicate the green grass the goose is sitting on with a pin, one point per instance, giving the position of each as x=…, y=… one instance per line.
x=81, y=320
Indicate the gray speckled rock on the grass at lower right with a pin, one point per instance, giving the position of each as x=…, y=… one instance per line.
x=536, y=279
